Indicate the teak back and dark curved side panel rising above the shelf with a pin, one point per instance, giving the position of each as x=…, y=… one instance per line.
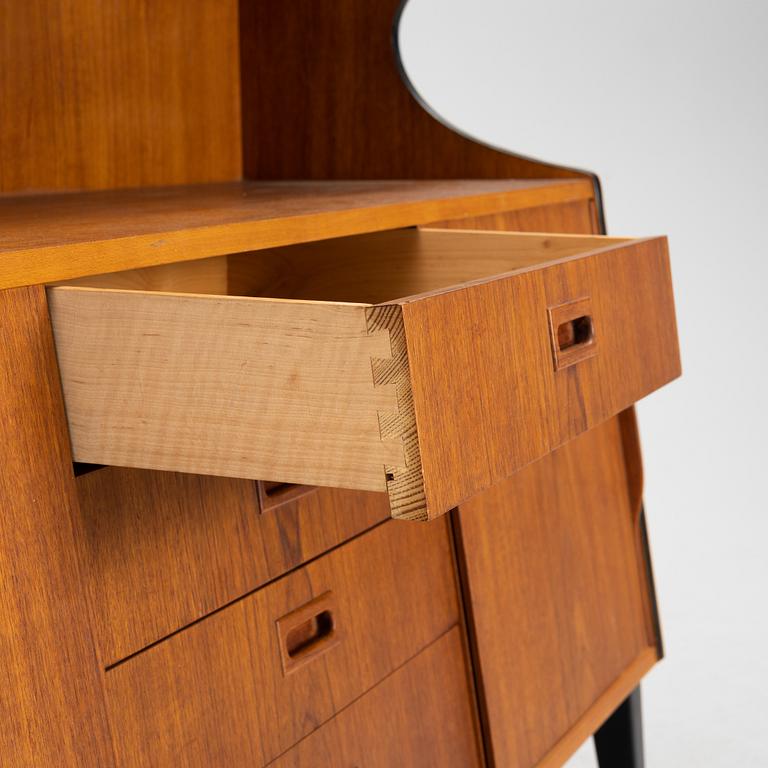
x=99, y=95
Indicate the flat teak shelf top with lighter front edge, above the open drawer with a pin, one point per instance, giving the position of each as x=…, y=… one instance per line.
x=46, y=238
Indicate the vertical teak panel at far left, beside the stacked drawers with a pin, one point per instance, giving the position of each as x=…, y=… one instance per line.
x=51, y=701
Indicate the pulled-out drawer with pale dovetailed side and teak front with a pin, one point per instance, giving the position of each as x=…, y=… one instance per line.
x=505, y=346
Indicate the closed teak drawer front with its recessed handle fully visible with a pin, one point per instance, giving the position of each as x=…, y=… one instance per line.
x=248, y=682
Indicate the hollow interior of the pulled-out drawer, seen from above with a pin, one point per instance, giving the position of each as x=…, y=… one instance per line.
x=365, y=269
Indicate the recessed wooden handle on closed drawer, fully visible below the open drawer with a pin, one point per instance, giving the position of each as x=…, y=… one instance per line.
x=307, y=632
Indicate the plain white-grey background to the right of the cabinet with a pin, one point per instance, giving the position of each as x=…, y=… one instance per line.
x=668, y=103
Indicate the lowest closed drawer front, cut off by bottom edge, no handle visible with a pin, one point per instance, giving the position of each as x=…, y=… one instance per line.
x=419, y=716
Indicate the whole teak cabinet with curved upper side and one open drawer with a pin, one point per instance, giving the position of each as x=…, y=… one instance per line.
x=261, y=314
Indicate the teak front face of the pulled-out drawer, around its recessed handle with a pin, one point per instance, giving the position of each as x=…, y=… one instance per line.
x=511, y=407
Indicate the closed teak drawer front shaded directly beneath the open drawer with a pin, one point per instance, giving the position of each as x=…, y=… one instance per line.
x=164, y=549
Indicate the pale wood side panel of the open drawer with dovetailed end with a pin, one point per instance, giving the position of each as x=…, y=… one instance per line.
x=224, y=386
